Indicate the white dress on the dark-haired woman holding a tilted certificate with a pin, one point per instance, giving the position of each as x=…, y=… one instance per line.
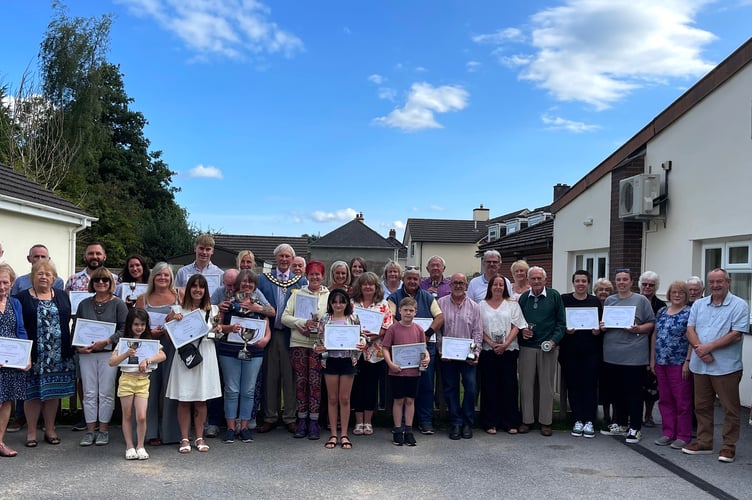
x=200, y=383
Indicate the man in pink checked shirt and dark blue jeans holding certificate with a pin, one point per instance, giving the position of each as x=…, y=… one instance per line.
x=461, y=320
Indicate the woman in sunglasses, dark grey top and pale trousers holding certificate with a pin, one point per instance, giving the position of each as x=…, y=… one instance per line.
x=97, y=376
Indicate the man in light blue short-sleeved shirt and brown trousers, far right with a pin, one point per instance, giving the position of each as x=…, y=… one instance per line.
x=715, y=328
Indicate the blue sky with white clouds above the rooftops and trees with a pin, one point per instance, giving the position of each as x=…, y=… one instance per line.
x=289, y=117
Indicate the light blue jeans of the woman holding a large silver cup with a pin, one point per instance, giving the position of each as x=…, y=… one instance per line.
x=239, y=384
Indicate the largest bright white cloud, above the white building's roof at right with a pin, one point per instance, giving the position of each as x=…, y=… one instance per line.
x=598, y=51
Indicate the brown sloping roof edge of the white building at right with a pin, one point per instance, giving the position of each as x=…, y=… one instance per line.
x=729, y=67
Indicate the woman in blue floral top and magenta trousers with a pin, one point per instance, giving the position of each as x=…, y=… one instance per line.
x=669, y=360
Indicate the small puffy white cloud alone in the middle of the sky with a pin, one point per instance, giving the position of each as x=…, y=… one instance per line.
x=422, y=103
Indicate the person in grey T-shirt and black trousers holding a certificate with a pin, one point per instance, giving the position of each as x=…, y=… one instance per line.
x=626, y=356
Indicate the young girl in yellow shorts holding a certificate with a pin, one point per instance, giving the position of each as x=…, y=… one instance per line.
x=133, y=389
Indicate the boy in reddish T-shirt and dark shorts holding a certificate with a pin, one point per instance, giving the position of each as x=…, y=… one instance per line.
x=404, y=382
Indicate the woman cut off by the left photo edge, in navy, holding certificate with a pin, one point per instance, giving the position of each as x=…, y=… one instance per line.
x=12, y=380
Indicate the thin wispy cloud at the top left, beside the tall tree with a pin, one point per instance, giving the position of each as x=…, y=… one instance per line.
x=235, y=29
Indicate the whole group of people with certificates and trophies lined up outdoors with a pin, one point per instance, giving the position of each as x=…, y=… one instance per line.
x=302, y=345
